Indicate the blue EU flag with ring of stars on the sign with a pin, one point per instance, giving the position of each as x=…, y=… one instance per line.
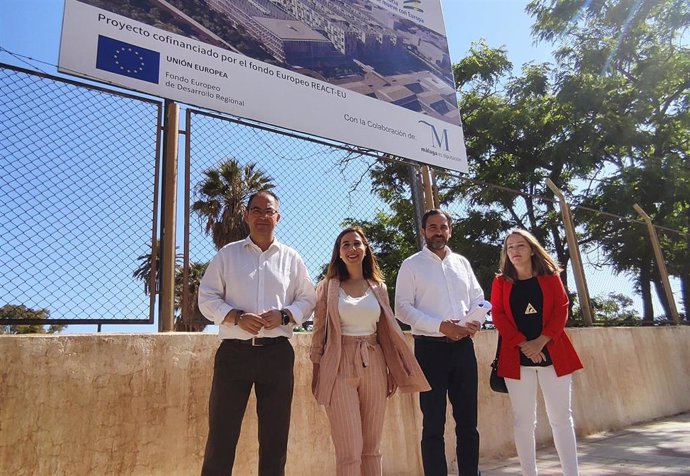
x=128, y=60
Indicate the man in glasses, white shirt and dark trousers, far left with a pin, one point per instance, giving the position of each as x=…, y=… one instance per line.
x=256, y=290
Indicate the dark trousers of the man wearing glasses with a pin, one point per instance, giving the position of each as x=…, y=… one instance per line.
x=237, y=368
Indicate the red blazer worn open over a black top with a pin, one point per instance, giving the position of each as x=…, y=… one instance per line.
x=561, y=350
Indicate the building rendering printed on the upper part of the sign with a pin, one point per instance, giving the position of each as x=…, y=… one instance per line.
x=353, y=44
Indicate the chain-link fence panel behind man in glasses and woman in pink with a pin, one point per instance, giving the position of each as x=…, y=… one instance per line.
x=319, y=184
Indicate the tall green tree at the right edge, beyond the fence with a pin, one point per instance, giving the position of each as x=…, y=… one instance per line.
x=629, y=63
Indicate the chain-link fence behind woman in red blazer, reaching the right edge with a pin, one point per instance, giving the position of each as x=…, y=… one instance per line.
x=622, y=278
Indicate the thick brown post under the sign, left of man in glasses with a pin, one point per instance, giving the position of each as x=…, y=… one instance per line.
x=169, y=215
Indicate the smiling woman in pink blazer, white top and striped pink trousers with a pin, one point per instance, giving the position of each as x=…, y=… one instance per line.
x=359, y=354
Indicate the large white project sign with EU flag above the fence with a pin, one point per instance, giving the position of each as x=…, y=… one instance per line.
x=332, y=80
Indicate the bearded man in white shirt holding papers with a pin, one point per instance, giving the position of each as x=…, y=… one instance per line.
x=435, y=289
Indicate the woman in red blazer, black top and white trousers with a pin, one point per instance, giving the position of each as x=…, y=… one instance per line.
x=530, y=309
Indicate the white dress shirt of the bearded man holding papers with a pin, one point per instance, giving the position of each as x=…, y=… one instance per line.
x=430, y=290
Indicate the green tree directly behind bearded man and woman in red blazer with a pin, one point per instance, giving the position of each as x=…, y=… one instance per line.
x=519, y=132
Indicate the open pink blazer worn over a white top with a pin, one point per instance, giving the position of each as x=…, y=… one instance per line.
x=326, y=343
